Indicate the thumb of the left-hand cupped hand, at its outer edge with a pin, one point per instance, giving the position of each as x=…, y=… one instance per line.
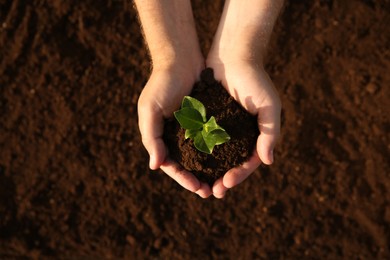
x=151, y=125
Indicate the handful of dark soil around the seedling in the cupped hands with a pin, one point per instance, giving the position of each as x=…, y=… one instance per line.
x=238, y=123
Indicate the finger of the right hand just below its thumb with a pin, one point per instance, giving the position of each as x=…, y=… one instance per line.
x=238, y=174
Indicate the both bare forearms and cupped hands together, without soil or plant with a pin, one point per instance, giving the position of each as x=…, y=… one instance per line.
x=236, y=56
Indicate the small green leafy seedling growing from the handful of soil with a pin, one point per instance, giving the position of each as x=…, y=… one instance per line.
x=205, y=133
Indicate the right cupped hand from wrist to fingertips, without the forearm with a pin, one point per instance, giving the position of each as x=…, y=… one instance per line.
x=250, y=86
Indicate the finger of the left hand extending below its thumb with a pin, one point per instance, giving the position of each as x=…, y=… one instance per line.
x=186, y=179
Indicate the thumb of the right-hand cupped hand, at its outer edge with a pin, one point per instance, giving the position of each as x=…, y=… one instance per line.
x=269, y=126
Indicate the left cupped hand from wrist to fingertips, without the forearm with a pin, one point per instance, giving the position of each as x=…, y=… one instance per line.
x=161, y=96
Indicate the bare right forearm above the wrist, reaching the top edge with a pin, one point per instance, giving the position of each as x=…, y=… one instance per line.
x=245, y=28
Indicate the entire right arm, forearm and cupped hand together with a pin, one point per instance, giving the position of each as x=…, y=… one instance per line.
x=236, y=56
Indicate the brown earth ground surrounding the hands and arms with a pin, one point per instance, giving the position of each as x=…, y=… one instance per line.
x=74, y=180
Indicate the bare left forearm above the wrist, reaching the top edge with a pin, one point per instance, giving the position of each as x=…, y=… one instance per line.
x=169, y=30
